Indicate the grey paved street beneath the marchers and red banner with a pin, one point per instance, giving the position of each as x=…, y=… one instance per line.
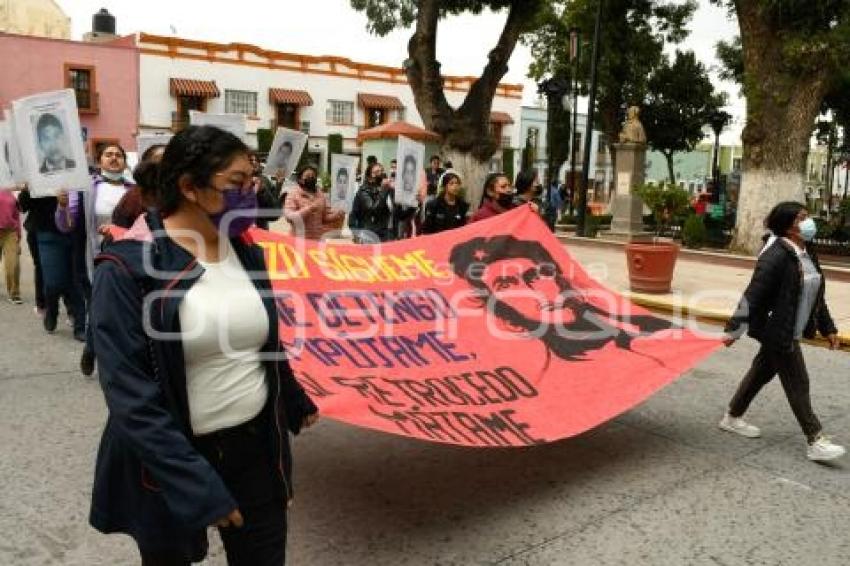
x=659, y=485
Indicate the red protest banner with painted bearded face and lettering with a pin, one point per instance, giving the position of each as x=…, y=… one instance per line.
x=489, y=335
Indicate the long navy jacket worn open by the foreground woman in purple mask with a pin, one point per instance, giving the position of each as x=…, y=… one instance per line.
x=150, y=481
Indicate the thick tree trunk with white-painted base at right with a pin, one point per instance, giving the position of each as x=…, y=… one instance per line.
x=782, y=104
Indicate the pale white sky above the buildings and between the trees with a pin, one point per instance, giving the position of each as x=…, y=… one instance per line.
x=332, y=27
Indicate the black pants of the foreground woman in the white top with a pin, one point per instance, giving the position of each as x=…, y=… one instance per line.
x=242, y=456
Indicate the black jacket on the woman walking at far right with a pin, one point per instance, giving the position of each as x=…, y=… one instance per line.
x=768, y=309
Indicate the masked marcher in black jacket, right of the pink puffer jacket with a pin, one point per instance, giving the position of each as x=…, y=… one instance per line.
x=371, y=216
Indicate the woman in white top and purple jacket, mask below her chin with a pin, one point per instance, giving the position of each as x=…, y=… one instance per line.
x=86, y=218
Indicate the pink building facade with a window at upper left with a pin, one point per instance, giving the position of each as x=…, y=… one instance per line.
x=105, y=77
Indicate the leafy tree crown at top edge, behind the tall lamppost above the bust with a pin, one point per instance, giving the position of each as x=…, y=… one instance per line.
x=632, y=46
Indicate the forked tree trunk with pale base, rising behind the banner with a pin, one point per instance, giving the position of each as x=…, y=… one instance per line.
x=465, y=131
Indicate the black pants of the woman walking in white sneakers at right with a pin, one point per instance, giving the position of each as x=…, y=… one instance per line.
x=795, y=381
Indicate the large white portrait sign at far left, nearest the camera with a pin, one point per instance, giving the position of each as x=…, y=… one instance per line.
x=49, y=138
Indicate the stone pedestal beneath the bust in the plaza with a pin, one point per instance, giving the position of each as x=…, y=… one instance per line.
x=626, y=207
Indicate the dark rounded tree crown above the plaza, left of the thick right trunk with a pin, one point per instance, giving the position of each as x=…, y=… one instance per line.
x=680, y=101
